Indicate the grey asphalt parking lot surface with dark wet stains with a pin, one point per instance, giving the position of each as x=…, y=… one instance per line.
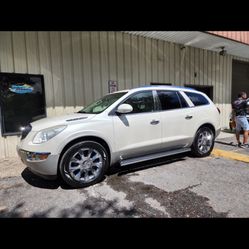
x=180, y=186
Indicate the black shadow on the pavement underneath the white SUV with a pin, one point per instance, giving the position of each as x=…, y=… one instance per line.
x=37, y=181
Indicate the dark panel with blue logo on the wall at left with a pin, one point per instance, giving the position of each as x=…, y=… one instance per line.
x=22, y=100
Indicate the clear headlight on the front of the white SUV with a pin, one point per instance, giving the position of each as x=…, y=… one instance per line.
x=45, y=135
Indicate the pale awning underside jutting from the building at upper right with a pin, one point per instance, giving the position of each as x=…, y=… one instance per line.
x=198, y=39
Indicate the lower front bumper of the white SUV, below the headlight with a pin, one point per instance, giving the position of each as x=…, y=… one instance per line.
x=46, y=168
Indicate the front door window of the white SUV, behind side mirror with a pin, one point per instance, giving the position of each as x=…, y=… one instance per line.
x=141, y=102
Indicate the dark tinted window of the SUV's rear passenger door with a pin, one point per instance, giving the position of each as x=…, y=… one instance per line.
x=170, y=100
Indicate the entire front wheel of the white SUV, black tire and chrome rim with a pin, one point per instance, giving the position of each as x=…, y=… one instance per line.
x=84, y=164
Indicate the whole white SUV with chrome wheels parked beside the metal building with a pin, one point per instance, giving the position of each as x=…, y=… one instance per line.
x=127, y=127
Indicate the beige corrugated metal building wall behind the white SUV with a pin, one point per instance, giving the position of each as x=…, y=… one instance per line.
x=77, y=66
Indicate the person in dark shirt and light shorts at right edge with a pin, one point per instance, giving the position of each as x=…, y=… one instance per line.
x=240, y=106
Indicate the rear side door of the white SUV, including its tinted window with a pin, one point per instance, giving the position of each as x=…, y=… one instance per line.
x=177, y=120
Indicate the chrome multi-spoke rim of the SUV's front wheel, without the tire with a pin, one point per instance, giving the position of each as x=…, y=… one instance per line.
x=85, y=165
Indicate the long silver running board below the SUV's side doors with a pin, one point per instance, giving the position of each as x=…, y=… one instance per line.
x=153, y=156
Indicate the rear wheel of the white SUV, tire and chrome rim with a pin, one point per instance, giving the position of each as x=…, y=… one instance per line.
x=203, y=143
